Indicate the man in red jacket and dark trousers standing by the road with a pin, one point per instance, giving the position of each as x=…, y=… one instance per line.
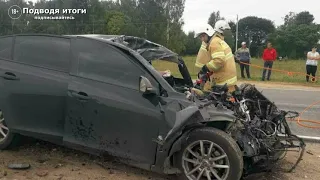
x=269, y=56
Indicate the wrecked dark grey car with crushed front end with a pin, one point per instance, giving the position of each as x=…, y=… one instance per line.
x=100, y=94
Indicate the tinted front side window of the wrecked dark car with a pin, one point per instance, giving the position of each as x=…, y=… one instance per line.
x=104, y=62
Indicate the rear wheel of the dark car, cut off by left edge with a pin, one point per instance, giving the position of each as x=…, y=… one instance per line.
x=10, y=140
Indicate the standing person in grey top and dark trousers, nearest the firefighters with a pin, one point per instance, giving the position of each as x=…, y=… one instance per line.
x=243, y=55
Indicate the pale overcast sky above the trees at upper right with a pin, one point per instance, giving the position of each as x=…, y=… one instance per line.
x=197, y=12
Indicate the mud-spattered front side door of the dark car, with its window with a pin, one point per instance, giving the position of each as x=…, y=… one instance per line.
x=105, y=111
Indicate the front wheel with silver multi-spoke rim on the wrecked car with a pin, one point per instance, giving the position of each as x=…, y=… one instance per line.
x=224, y=147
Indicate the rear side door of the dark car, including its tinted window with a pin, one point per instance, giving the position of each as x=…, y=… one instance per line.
x=34, y=86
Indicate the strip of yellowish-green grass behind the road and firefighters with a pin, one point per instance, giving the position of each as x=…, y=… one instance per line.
x=256, y=73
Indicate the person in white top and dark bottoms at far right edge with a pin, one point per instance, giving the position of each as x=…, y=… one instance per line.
x=312, y=63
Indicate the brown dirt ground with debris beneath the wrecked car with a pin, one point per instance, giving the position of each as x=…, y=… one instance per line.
x=51, y=162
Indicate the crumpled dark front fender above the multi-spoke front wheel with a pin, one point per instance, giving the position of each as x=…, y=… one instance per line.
x=181, y=122
